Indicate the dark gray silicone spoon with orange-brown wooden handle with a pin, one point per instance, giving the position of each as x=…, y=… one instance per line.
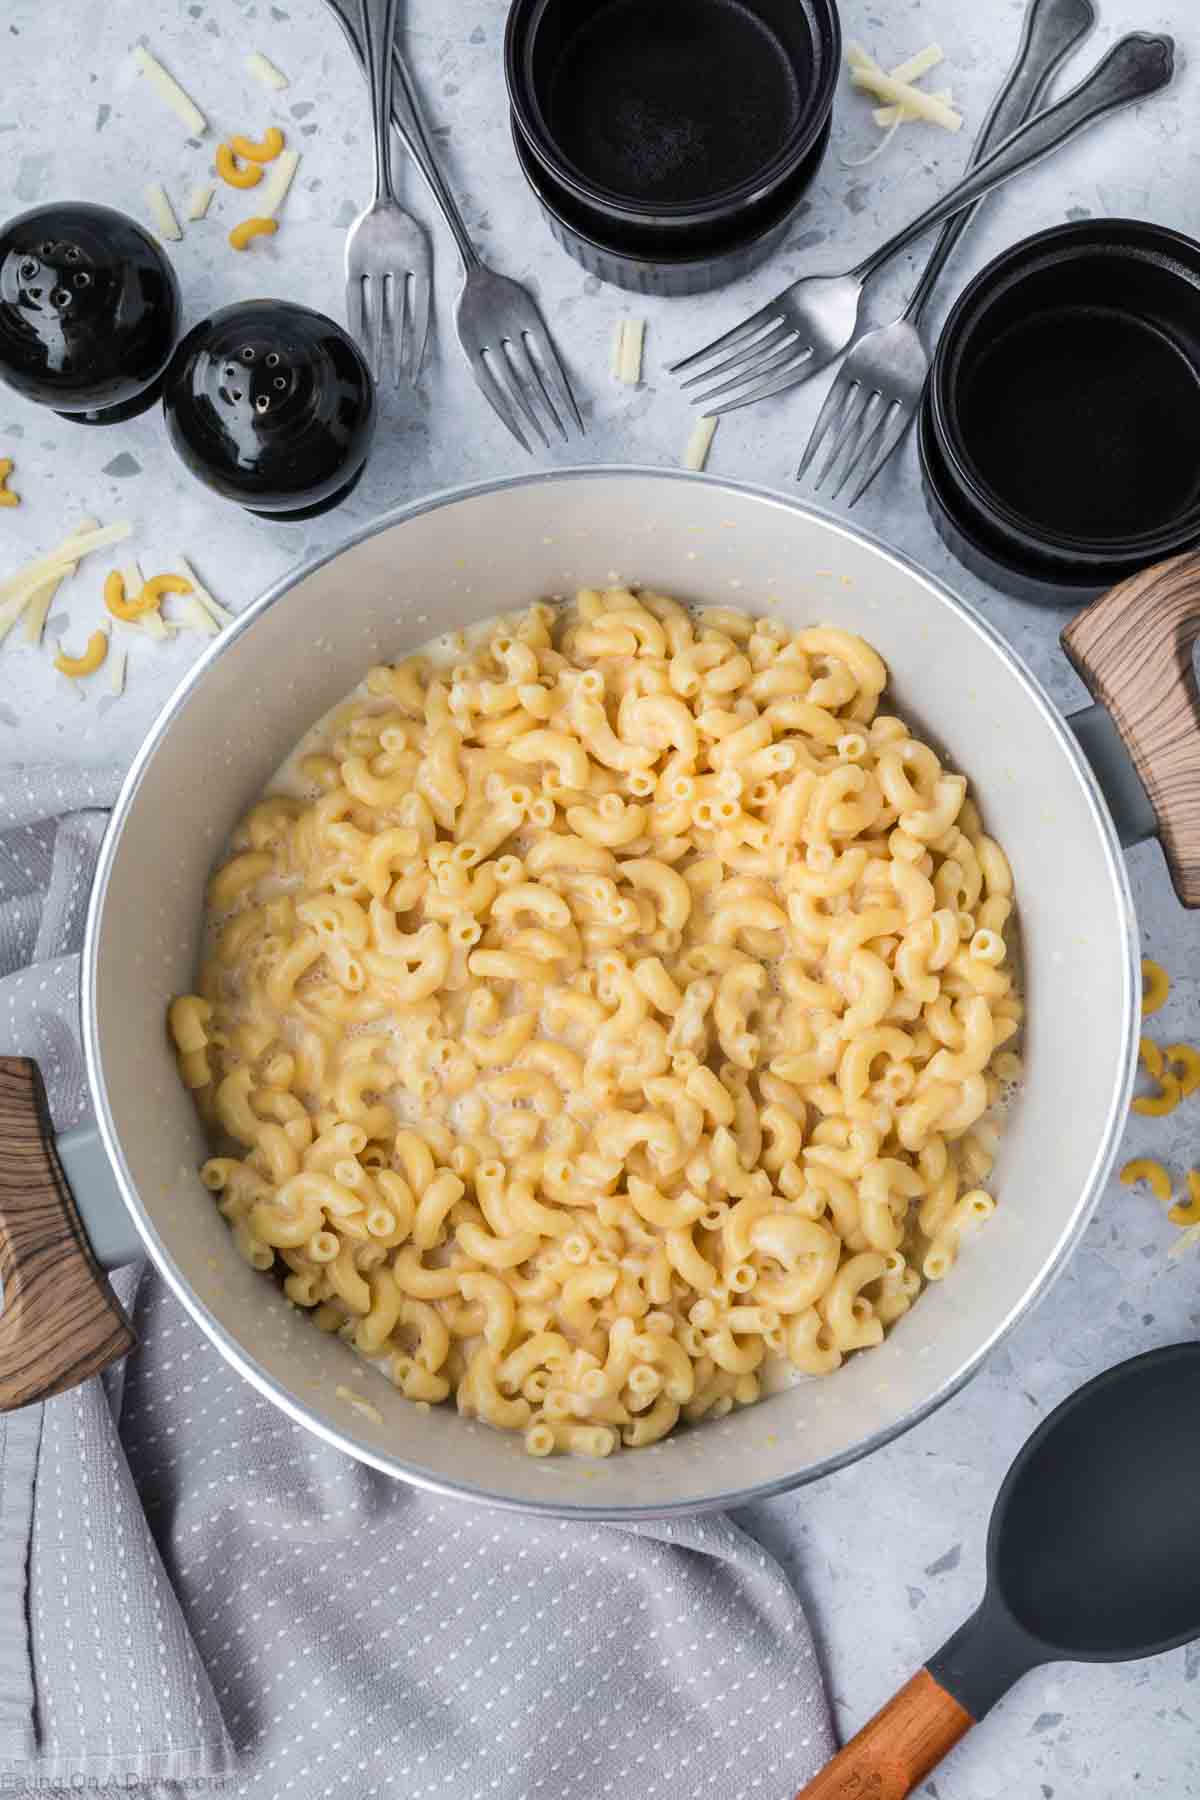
x=1091, y=1558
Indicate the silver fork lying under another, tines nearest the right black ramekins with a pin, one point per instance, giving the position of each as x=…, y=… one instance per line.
x=877, y=390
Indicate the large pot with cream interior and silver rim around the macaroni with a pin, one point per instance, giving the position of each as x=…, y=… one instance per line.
x=449, y=562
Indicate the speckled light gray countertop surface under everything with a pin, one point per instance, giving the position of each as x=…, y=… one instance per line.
x=888, y=1554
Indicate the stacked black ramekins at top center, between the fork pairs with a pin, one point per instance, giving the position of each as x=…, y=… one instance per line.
x=670, y=145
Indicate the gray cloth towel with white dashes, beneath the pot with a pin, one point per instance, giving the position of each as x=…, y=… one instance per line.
x=197, y=1596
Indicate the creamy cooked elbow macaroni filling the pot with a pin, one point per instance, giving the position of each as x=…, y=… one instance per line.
x=605, y=1018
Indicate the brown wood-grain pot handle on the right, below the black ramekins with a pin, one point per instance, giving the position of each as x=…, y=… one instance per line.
x=1134, y=649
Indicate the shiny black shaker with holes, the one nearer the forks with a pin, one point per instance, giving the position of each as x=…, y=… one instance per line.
x=273, y=406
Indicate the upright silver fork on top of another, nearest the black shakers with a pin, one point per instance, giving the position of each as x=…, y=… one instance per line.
x=388, y=255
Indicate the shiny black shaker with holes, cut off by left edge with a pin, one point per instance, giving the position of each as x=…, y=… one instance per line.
x=89, y=312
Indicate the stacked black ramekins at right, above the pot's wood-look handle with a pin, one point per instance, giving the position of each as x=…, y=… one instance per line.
x=1061, y=426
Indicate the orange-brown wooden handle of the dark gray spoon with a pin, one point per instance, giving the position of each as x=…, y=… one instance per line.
x=897, y=1749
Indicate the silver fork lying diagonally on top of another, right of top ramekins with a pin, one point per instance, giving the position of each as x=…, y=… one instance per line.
x=812, y=321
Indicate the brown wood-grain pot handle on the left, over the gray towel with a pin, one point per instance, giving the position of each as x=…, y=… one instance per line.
x=62, y=1320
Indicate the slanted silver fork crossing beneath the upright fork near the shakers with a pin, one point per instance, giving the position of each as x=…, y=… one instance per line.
x=501, y=328
